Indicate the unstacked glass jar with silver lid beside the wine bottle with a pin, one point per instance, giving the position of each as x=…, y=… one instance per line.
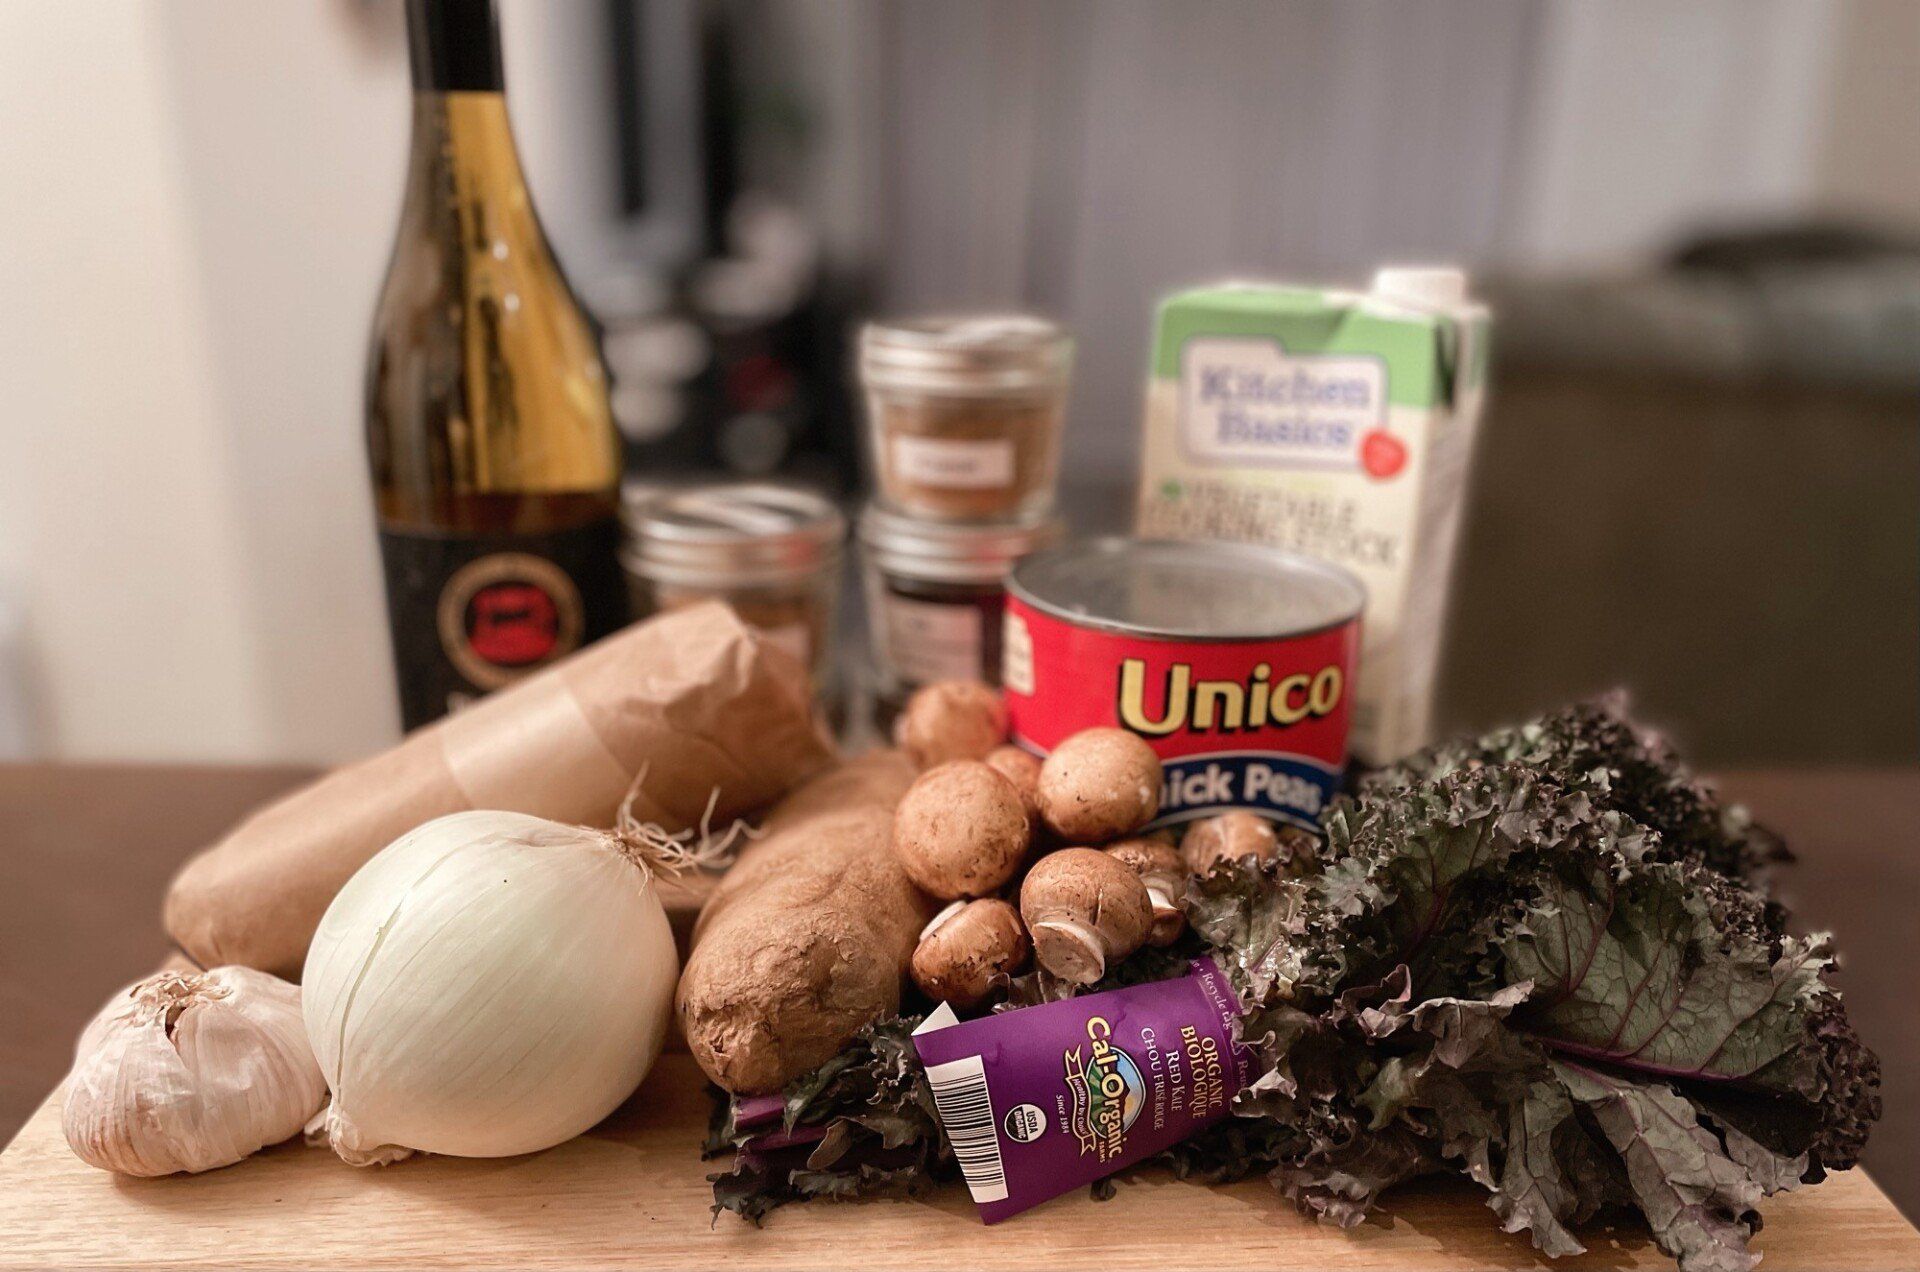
x=771, y=552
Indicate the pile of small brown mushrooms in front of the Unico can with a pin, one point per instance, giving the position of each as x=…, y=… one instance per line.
x=990, y=825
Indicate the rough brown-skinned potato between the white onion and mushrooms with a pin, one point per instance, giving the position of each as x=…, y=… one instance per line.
x=807, y=937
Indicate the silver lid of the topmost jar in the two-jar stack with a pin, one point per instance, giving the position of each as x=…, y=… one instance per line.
x=1009, y=353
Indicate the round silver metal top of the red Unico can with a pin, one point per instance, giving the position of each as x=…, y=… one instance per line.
x=1188, y=591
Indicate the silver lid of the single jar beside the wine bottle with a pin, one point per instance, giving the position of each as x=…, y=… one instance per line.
x=734, y=533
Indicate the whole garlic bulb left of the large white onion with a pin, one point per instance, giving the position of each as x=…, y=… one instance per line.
x=191, y=1071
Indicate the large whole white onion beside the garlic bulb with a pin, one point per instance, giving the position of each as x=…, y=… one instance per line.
x=489, y=985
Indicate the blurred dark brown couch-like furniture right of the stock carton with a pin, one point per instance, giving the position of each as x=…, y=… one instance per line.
x=1704, y=483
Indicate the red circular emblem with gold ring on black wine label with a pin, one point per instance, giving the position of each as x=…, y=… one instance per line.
x=506, y=616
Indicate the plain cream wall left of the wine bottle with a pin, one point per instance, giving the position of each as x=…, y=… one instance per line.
x=197, y=207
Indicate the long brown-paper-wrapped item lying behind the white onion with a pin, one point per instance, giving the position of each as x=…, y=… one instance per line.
x=692, y=700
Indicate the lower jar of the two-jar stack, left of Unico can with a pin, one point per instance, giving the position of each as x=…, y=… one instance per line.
x=936, y=595
